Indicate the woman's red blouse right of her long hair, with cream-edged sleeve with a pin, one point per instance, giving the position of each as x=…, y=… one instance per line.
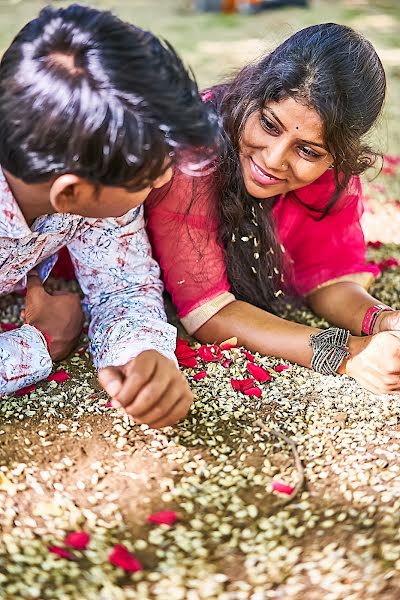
x=322, y=251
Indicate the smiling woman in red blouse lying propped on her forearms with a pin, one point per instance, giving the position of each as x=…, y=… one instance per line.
x=281, y=212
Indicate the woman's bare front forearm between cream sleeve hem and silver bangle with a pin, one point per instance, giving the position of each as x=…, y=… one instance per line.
x=259, y=331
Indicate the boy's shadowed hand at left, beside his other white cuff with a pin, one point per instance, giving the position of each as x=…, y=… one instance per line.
x=59, y=315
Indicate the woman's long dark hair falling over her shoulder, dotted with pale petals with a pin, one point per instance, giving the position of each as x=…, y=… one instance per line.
x=330, y=68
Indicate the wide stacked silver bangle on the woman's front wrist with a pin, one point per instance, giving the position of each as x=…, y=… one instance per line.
x=330, y=348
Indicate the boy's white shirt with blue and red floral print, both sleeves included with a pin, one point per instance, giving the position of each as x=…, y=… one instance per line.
x=118, y=276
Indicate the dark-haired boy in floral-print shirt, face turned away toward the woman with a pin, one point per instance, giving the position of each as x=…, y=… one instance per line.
x=93, y=114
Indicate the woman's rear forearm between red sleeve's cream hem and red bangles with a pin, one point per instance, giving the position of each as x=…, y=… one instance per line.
x=343, y=304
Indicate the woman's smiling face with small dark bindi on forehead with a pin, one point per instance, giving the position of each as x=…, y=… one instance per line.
x=282, y=149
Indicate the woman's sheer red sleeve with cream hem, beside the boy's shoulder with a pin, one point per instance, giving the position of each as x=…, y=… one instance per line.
x=186, y=246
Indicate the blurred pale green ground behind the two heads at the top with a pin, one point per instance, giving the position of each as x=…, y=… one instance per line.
x=214, y=45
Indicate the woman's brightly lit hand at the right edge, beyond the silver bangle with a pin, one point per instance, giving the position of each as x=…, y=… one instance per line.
x=375, y=362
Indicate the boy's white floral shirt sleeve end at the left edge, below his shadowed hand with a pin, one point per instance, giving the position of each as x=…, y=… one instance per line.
x=24, y=359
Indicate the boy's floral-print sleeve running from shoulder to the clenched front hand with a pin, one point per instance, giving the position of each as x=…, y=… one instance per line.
x=123, y=290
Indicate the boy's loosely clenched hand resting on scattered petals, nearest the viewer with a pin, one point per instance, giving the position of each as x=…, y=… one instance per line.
x=150, y=388
